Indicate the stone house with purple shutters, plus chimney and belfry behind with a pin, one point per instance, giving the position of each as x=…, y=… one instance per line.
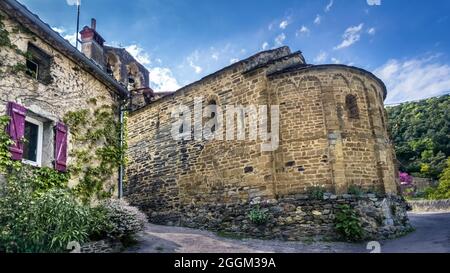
x=44, y=79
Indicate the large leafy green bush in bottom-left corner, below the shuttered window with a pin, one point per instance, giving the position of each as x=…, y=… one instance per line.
x=33, y=223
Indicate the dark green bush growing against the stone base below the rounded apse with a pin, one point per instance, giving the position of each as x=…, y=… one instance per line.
x=348, y=225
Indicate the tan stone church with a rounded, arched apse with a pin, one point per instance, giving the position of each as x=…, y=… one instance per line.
x=332, y=135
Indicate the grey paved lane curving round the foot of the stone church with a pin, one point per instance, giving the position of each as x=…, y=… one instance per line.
x=432, y=235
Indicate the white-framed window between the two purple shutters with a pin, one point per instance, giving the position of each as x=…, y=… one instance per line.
x=32, y=147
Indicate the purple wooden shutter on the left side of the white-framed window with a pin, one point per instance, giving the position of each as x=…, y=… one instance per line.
x=16, y=128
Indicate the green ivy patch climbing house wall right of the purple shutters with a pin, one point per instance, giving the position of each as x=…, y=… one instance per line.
x=96, y=153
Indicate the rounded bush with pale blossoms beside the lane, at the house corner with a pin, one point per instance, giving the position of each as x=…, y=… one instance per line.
x=122, y=220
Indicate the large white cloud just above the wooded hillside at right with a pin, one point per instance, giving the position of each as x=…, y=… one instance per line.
x=414, y=79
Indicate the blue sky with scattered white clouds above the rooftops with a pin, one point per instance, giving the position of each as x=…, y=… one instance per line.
x=405, y=43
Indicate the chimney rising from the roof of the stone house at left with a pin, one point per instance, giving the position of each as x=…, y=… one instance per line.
x=92, y=43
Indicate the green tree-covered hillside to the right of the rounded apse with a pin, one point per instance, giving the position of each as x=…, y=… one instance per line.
x=421, y=134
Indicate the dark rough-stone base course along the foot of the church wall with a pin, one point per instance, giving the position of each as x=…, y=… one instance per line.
x=293, y=218
